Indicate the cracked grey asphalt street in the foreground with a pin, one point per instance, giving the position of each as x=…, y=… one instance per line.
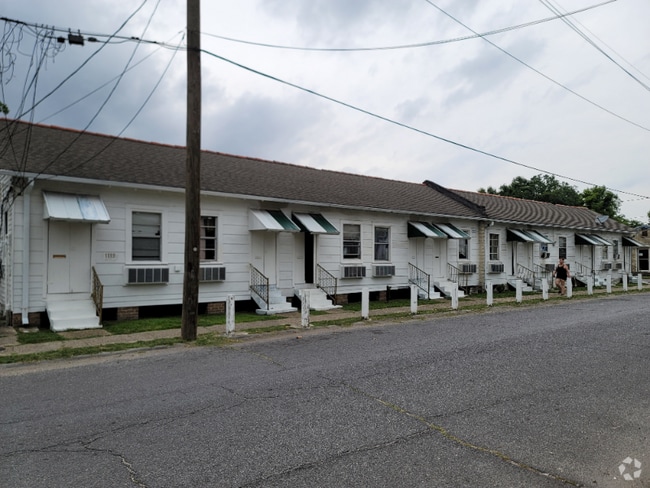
x=546, y=396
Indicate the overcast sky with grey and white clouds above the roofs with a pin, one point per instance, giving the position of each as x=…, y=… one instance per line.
x=540, y=95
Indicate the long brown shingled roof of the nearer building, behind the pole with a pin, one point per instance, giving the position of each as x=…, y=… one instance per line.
x=54, y=151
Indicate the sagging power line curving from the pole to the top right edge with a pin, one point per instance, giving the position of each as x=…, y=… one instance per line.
x=408, y=46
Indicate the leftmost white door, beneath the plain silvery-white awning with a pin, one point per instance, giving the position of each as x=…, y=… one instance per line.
x=68, y=266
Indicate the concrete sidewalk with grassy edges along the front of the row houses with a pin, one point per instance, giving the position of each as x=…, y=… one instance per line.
x=97, y=337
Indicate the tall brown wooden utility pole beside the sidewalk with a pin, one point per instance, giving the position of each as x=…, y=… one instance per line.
x=192, y=174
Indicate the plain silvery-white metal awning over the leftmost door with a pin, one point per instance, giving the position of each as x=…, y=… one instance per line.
x=74, y=208
